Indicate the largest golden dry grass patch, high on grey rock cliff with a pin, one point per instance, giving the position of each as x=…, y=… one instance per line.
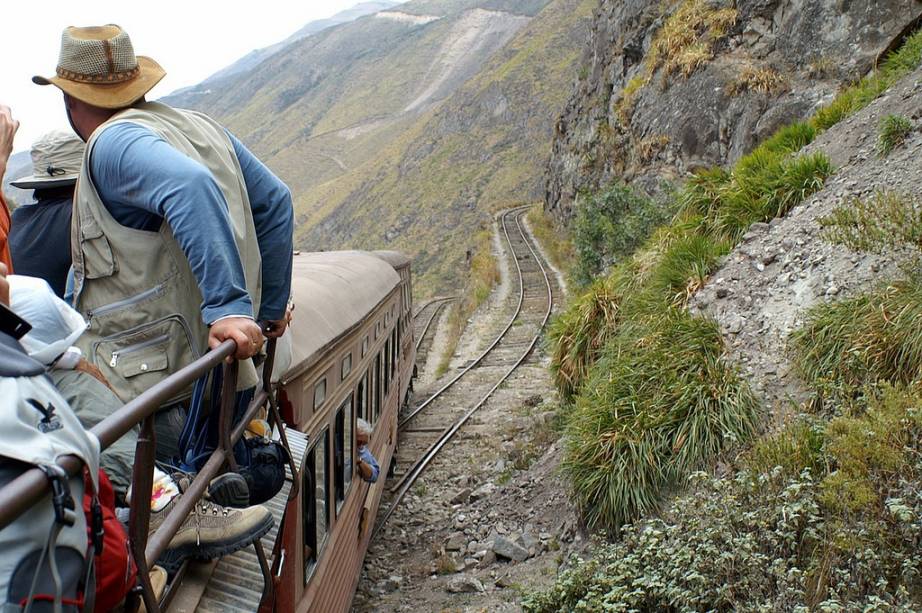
x=687, y=39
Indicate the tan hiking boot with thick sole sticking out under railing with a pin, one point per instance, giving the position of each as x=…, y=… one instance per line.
x=210, y=531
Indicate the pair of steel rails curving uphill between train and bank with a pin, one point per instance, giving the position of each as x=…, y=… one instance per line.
x=409, y=478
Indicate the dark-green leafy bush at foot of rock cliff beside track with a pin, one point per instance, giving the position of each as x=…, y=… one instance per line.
x=609, y=225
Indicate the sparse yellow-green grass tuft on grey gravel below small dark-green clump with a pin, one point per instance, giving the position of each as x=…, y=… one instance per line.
x=878, y=224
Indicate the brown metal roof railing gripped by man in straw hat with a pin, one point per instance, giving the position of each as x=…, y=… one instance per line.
x=18, y=496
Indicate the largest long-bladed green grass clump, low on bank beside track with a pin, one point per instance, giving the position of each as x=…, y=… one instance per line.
x=659, y=403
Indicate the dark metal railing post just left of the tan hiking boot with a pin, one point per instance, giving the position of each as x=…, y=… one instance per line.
x=139, y=518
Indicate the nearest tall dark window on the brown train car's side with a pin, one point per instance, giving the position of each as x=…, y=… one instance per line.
x=316, y=503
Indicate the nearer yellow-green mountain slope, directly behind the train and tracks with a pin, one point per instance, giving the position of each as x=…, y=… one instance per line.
x=481, y=150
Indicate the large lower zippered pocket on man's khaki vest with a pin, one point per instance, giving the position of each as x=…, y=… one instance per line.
x=136, y=359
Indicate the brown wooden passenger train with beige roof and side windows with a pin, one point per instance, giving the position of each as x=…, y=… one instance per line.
x=352, y=357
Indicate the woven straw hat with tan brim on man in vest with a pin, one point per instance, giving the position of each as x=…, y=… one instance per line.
x=98, y=66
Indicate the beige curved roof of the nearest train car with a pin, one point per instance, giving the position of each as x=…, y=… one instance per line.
x=333, y=291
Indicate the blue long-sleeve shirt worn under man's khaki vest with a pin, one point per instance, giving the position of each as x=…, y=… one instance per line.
x=143, y=181
